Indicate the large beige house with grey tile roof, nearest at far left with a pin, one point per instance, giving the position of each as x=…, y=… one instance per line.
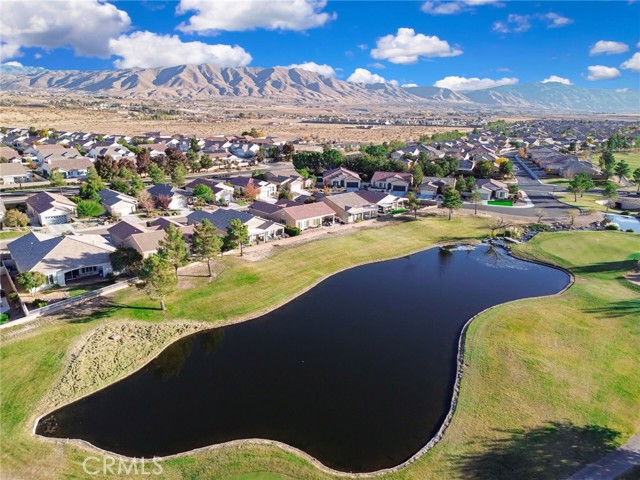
x=63, y=258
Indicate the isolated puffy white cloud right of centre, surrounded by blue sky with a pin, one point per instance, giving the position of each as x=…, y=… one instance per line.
x=406, y=47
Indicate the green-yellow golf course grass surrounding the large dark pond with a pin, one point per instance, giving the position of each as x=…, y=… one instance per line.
x=549, y=384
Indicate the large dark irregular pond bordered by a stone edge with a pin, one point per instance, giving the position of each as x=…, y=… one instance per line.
x=358, y=372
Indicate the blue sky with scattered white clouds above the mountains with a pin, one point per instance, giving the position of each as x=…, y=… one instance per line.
x=463, y=45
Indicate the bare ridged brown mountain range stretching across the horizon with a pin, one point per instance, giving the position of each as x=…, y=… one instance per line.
x=297, y=85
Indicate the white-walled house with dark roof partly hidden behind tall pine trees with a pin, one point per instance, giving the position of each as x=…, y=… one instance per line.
x=260, y=230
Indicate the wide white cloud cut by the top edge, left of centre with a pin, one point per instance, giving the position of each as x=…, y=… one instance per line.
x=239, y=15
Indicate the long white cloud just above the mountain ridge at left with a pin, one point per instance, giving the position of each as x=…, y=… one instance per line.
x=147, y=49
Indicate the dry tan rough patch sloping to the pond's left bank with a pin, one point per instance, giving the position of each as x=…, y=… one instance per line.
x=111, y=352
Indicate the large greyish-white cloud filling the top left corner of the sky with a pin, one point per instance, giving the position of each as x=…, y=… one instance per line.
x=86, y=26
